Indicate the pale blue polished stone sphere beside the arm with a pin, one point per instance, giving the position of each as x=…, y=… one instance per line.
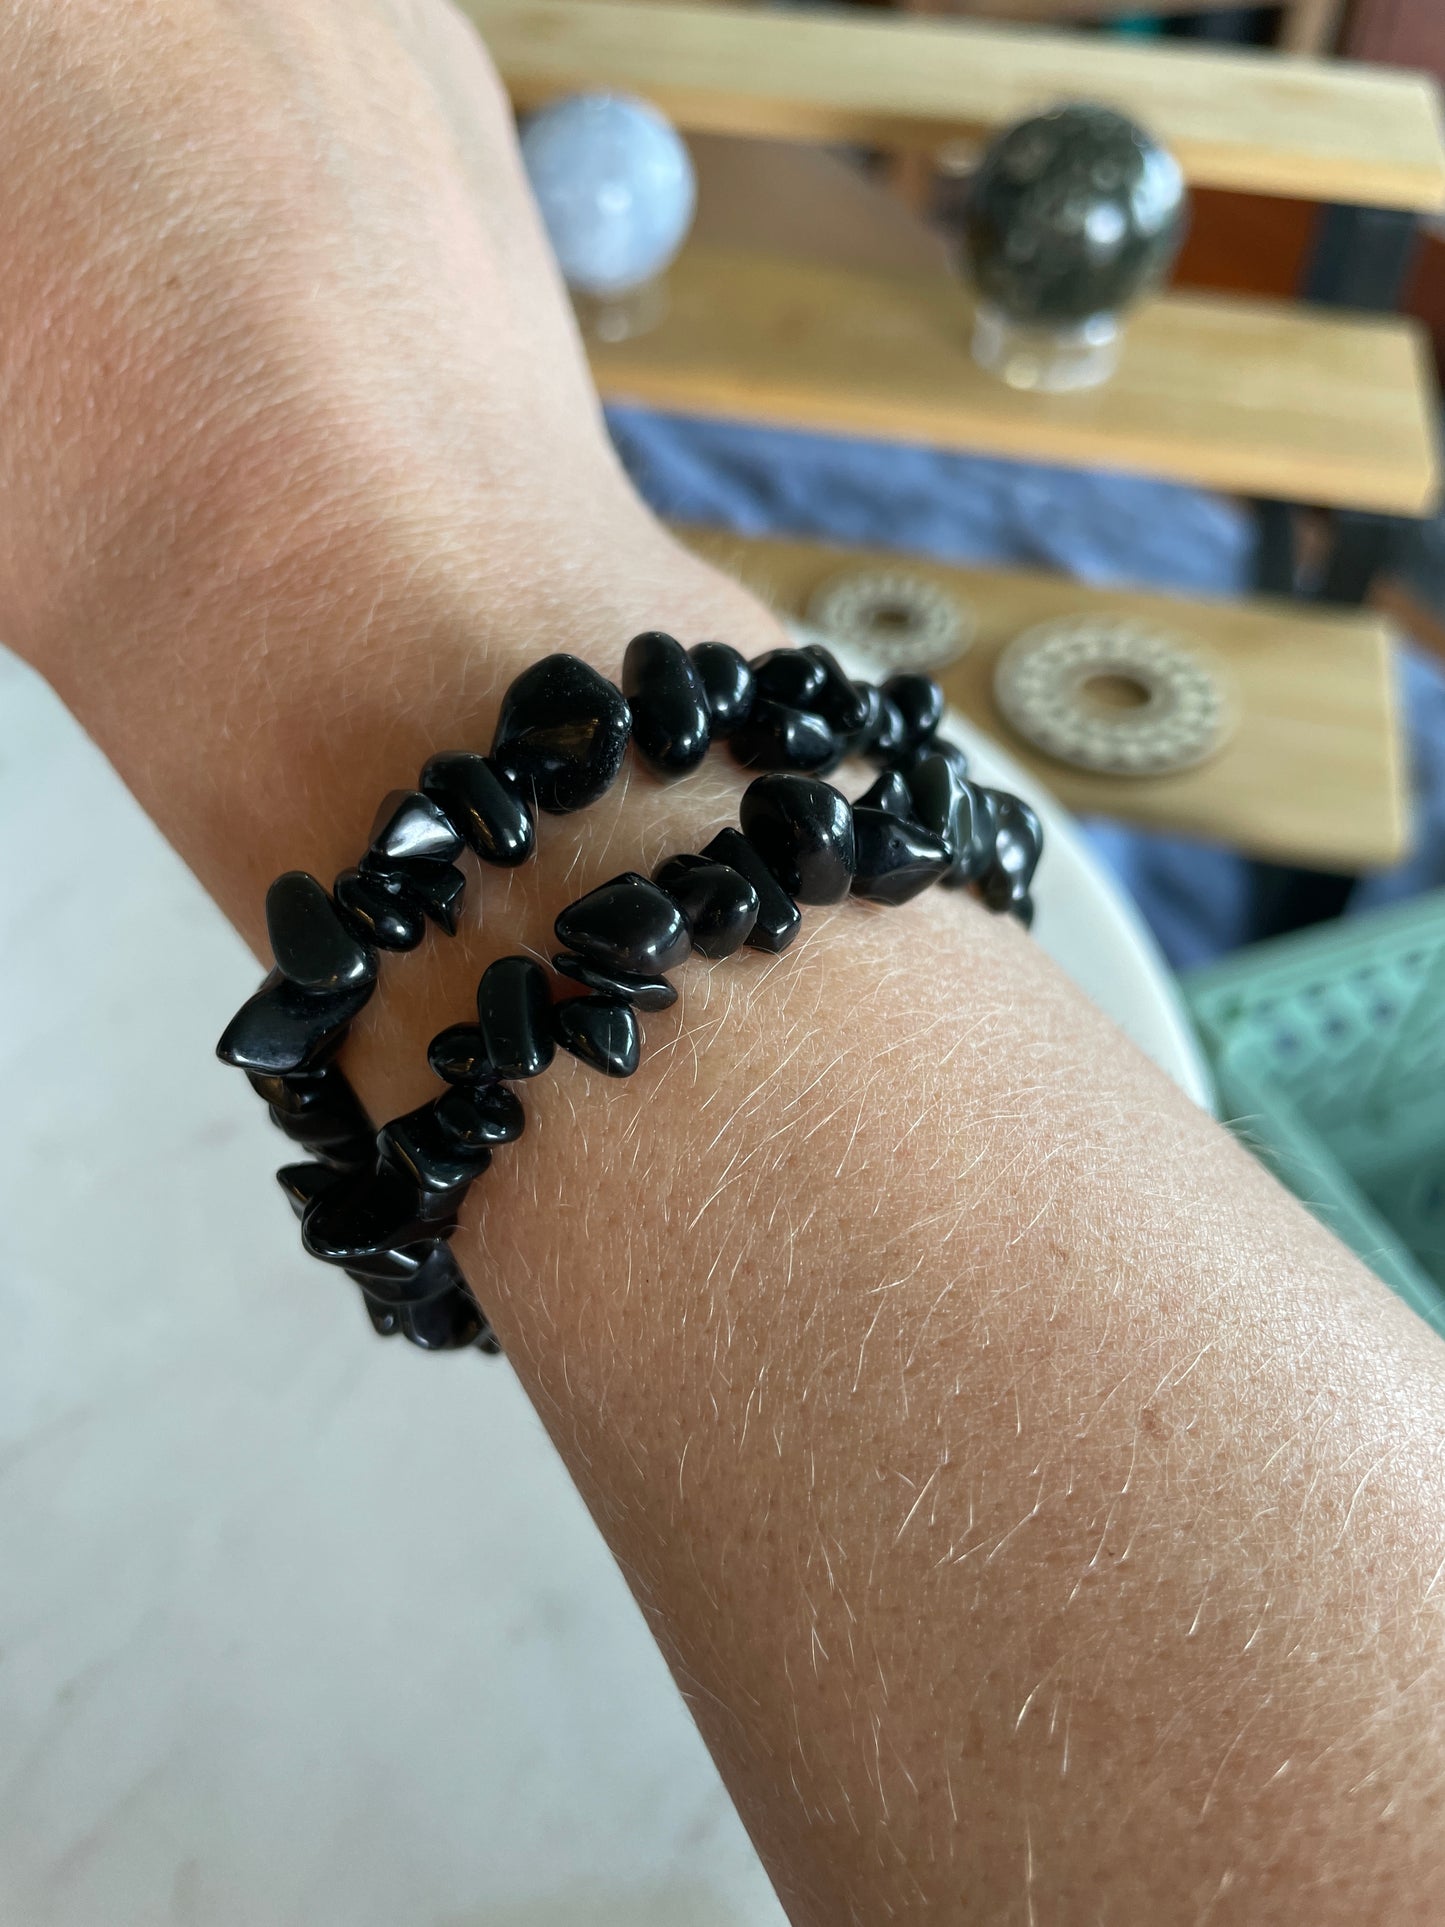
x=616, y=188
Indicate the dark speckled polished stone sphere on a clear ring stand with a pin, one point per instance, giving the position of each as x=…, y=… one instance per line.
x=1072, y=215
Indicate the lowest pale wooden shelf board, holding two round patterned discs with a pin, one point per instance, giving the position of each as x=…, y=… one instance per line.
x=1313, y=772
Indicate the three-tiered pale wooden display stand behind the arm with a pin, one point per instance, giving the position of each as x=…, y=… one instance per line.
x=814, y=300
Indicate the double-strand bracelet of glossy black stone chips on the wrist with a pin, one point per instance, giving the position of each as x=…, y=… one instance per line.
x=382, y=1205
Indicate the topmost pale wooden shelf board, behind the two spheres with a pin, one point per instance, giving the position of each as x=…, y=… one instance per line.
x=1246, y=120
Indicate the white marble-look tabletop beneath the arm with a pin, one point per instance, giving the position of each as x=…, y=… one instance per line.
x=296, y=1629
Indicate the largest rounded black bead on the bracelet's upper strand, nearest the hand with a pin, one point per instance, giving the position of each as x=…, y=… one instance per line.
x=564, y=733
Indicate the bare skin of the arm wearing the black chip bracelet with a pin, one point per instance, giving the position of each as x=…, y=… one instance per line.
x=1039, y=1512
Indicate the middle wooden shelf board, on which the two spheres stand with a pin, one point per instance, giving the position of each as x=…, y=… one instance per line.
x=1261, y=398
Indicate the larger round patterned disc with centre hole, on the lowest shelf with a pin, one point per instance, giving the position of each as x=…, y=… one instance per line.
x=1039, y=685
